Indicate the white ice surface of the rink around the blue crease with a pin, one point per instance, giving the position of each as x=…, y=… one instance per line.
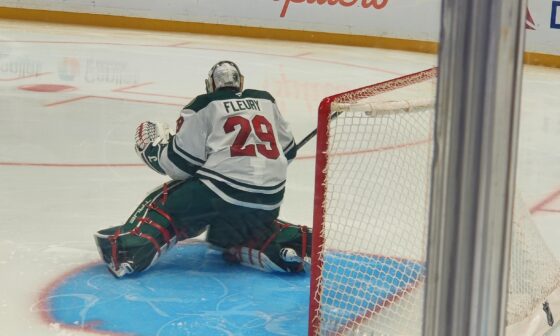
x=67, y=163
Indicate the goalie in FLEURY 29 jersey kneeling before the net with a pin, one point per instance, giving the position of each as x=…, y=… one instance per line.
x=227, y=160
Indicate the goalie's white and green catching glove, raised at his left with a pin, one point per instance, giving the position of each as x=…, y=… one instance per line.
x=151, y=138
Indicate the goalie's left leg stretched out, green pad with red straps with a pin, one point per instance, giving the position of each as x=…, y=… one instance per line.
x=171, y=213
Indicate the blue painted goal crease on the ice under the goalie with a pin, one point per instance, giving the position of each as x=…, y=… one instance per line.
x=192, y=291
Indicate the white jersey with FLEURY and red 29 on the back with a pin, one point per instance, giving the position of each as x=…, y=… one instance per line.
x=237, y=143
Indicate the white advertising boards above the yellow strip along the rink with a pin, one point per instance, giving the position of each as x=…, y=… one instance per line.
x=402, y=19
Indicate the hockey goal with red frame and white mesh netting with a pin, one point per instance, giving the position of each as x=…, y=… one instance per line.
x=372, y=190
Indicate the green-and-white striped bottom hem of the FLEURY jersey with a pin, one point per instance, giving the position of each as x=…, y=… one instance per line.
x=249, y=199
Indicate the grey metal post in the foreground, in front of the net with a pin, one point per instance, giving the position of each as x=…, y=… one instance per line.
x=477, y=113
